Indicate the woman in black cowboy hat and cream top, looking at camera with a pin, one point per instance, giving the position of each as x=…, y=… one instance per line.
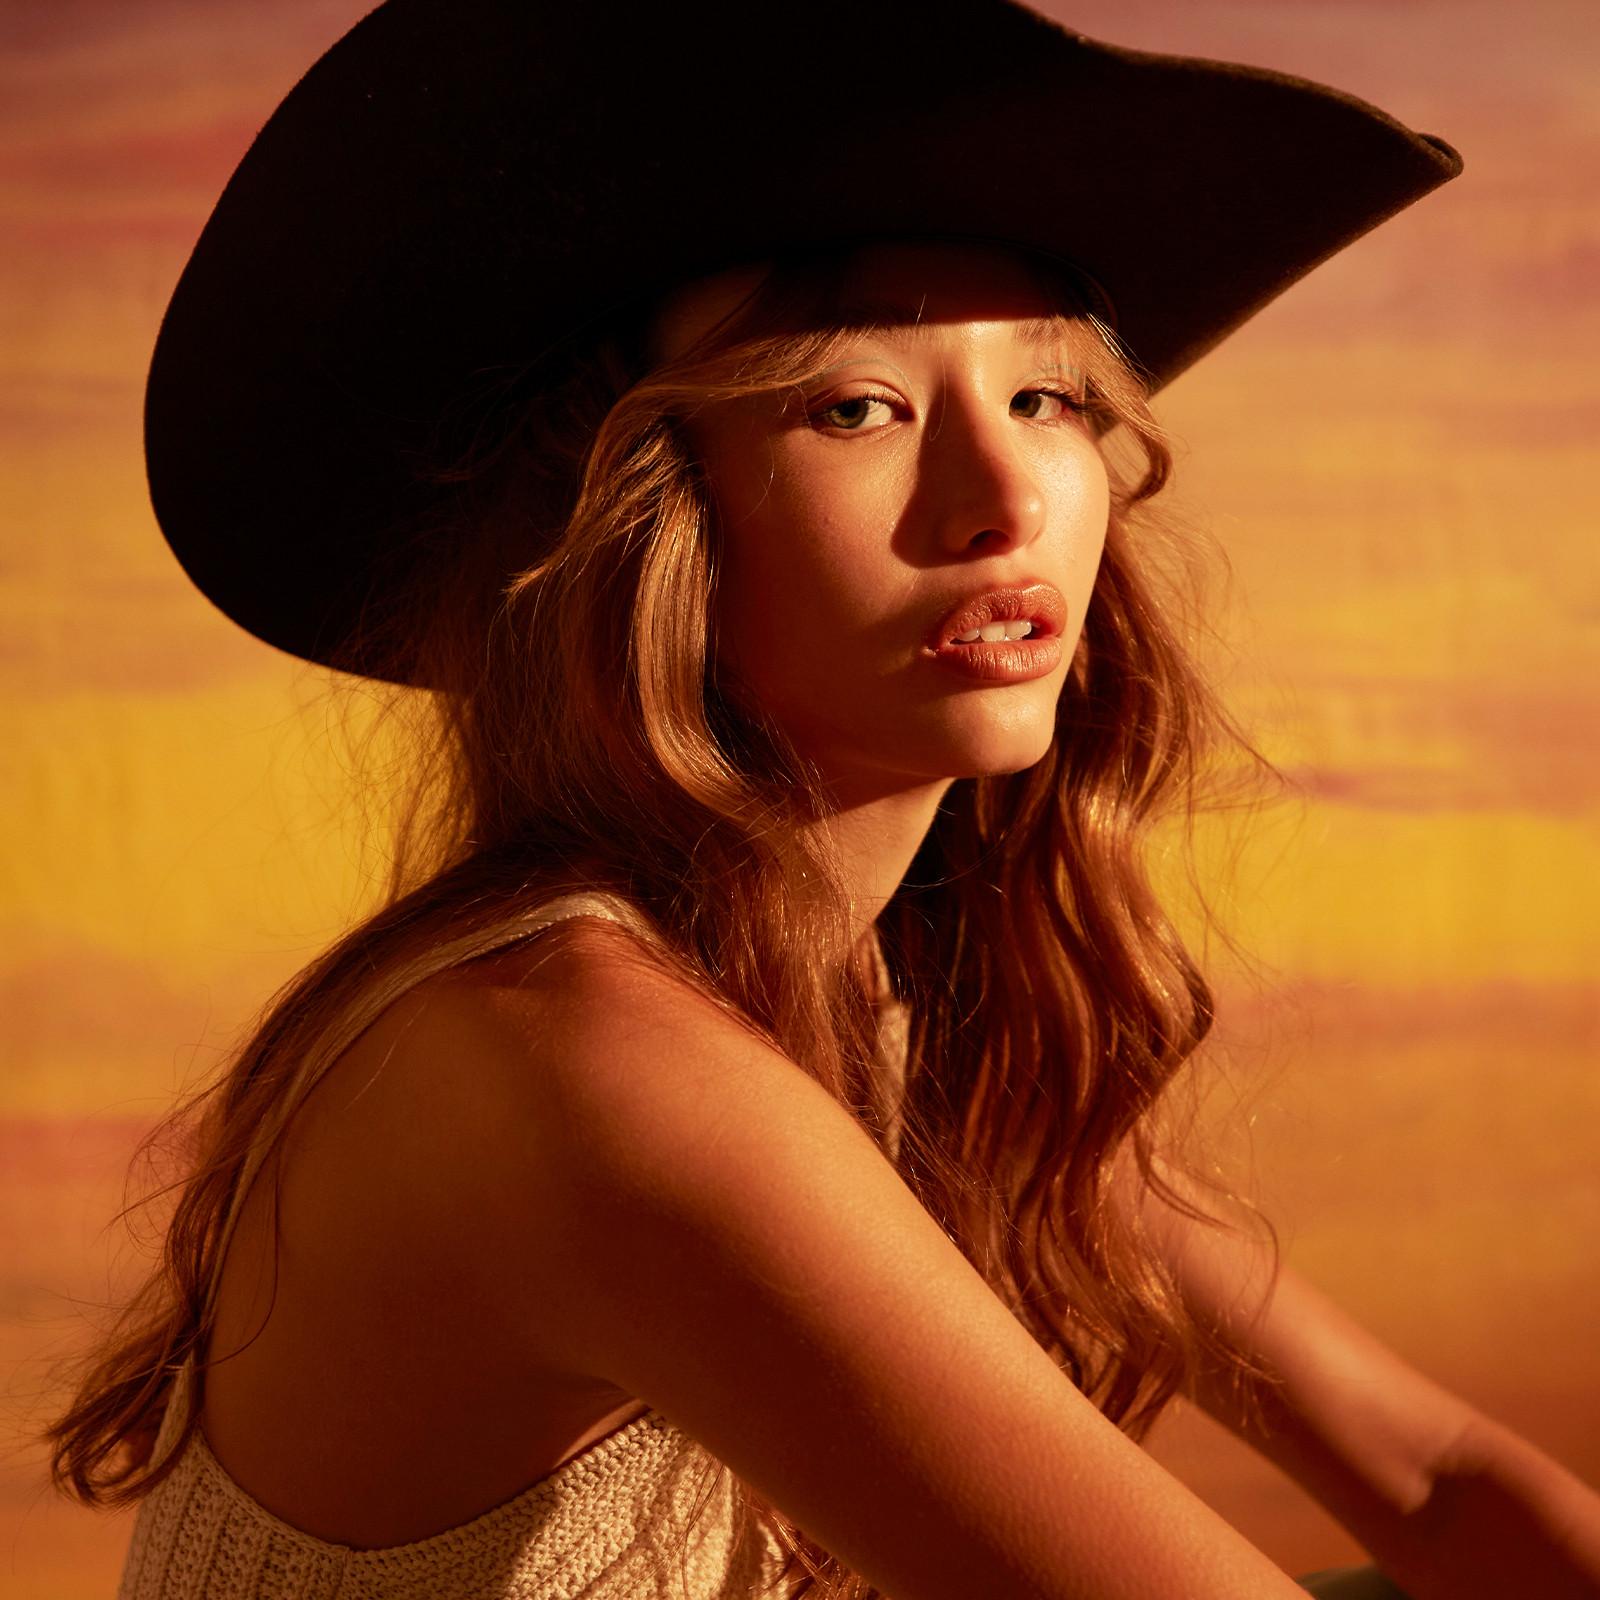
x=730, y=1159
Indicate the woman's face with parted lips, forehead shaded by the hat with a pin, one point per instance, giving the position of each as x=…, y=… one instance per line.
x=935, y=482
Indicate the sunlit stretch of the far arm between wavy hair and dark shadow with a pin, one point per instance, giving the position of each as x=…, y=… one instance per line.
x=1335, y=1409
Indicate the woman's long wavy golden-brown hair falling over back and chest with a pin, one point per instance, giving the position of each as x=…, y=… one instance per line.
x=580, y=734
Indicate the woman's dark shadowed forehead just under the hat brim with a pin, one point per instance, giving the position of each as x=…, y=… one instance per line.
x=908, y=290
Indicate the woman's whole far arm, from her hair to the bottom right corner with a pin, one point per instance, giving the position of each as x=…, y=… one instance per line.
x=1450, y=1505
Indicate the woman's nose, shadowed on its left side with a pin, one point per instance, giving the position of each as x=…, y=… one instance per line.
x=986, y=490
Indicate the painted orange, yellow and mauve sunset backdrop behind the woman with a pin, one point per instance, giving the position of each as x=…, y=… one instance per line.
x=1401, y=460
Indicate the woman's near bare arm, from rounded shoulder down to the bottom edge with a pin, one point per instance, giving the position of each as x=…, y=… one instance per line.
x=729, y=1246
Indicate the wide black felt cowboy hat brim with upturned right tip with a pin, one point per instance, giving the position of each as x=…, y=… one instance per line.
x=458, y=186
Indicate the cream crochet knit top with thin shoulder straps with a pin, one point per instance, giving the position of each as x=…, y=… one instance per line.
x=626, y=1519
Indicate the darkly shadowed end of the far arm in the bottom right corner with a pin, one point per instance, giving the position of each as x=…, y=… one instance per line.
x=1502, y=1519
